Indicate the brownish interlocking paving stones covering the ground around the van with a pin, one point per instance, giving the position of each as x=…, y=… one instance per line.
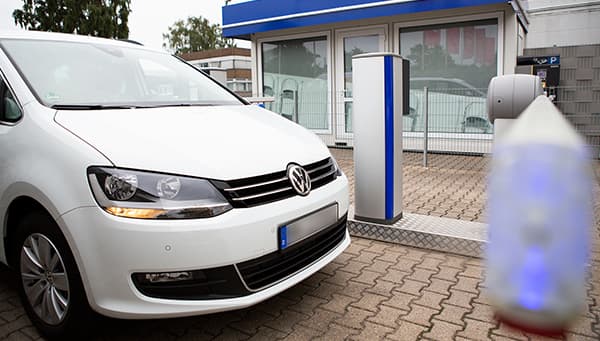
x=372, y=291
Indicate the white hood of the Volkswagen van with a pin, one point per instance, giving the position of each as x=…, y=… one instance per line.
x=216, y=142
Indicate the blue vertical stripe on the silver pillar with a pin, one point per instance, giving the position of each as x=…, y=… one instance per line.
x=389, y=135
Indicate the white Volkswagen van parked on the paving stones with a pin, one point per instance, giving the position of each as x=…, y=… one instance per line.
x=133, y=184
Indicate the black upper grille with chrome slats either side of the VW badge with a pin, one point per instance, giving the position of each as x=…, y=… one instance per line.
x=268, y=188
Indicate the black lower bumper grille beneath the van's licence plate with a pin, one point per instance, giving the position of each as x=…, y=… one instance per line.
x=271, y=268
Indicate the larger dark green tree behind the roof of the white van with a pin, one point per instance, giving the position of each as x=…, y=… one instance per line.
x=101, y=18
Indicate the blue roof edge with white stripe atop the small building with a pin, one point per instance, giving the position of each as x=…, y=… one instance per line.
x=241, y=20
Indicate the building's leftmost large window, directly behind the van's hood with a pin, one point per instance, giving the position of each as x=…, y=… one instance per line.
x=295, y=74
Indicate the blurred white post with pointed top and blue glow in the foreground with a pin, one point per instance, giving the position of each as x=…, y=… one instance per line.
x=540, y=211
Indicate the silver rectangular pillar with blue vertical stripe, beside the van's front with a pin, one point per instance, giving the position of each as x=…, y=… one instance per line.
x=380, y=96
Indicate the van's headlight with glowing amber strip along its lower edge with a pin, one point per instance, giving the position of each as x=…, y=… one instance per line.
x=145, y=195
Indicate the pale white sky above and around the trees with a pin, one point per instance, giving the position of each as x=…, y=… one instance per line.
x=148, y=19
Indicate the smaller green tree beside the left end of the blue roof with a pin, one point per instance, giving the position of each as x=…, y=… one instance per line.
x=195, y=34
